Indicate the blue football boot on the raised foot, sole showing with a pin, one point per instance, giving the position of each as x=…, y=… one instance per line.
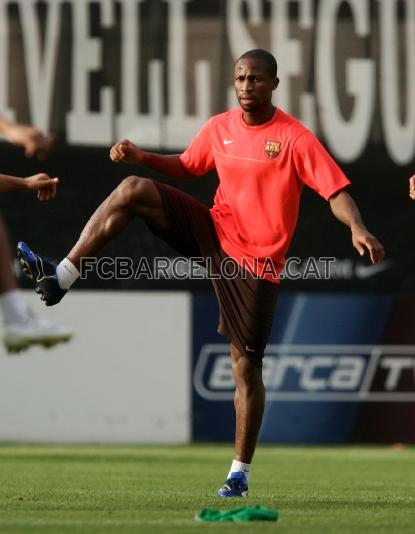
x=42, y=271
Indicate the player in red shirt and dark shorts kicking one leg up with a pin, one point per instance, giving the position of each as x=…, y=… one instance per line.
x=263, y=158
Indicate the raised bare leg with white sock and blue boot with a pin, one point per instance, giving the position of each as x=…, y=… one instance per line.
x=134, y=197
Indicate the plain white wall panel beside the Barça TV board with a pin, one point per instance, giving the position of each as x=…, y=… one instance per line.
x=123, y=378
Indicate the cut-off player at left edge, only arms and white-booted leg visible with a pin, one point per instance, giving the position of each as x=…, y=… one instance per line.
x=21, y=328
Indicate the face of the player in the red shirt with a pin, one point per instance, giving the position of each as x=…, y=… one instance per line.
x=253, y=84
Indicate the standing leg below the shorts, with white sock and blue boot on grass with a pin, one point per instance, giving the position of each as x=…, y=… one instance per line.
x=249, y=408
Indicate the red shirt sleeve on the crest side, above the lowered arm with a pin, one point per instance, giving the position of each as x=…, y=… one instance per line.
x=316, y=168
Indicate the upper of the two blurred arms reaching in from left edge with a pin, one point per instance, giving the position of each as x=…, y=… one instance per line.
x=34, y=142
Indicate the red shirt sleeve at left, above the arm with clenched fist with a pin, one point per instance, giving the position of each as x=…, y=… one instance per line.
x=198, y=156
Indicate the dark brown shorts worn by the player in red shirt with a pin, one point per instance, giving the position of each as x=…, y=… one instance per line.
x=246, y=303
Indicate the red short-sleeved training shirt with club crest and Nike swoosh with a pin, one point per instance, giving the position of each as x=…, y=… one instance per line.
x=262, y=170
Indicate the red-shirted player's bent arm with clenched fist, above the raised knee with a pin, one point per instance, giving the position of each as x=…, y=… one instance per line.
x=171, y=166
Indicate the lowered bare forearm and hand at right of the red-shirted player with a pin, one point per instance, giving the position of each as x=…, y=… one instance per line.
x=345, y=210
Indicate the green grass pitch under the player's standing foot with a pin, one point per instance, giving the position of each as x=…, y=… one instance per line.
x=157, y=489
